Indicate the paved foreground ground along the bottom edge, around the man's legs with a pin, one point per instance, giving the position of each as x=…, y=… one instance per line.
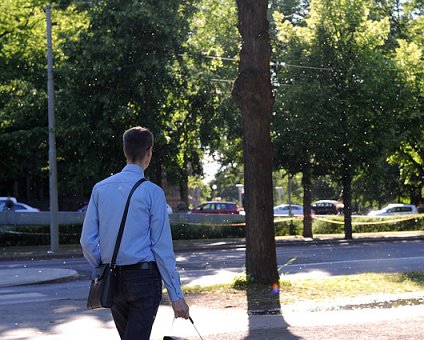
x=69, y=320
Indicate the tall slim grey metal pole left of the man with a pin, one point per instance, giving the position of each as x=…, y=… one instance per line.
x=54, y=227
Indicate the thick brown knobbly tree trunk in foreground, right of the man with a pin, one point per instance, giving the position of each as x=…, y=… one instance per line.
x=253, y=93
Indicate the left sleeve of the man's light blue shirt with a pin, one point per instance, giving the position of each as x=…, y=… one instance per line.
x=90, y=234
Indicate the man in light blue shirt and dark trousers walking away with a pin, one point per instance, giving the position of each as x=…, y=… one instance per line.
x=146, y=255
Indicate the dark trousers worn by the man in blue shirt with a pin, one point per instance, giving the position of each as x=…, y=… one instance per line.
x=136, y=301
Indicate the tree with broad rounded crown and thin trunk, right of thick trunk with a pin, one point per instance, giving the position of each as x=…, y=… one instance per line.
x=339, y=54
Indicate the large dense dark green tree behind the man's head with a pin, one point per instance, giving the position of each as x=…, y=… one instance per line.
x=121, y=72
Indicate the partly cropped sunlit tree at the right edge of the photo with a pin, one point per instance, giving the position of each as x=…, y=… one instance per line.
x=409, y=57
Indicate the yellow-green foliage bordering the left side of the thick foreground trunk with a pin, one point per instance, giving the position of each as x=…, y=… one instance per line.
x=211, y=53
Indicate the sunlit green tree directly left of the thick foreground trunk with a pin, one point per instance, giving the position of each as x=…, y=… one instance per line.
x=208, y=119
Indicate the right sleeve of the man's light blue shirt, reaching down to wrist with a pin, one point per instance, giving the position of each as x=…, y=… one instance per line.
x=162, y=247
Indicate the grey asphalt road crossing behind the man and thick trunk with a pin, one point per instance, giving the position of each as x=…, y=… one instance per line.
x=222, y=265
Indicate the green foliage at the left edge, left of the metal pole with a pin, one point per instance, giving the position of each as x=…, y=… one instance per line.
x=22, y=94
